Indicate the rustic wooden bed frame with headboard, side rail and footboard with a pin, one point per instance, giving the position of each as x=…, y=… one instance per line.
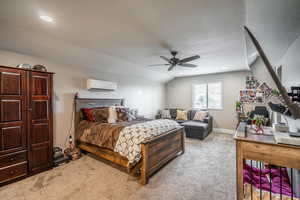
x=156, y=152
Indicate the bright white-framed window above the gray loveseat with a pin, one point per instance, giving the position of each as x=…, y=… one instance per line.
x=207, y=96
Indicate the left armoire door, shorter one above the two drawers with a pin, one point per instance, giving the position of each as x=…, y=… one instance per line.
x=12, y=109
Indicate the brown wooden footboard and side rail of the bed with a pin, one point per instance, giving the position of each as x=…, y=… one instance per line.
x=155, y=154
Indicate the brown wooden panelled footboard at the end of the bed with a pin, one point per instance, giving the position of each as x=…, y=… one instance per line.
x=160, y=150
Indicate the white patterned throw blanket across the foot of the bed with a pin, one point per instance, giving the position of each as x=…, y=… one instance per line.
x=131, y=137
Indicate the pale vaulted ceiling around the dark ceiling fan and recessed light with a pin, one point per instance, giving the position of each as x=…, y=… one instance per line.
x=125, y=36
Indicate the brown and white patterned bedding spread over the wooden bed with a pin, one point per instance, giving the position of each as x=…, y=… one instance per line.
x=125, y=137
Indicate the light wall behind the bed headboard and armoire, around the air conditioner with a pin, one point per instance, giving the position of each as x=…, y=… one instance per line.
x=147, y=96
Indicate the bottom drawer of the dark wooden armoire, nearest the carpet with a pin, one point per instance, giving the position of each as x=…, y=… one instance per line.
x=12, y=172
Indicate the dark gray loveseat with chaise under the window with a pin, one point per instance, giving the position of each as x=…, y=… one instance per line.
x=193, y=129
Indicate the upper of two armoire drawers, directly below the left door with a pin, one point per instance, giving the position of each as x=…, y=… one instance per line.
x=12, y=159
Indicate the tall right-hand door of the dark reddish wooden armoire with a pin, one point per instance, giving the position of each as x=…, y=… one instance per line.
x=40, y=121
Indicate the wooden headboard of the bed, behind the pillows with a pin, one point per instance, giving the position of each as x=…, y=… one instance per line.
x=92, y=103
